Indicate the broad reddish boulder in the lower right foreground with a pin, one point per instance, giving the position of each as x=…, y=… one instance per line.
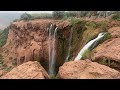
x=85, y=69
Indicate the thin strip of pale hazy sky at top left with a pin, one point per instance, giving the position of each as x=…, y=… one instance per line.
x=26, y=11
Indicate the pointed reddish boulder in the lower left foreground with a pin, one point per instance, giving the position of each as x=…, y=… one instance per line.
x=28, y=70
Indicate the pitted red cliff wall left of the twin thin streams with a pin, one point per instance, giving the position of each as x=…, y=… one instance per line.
x=27, y=41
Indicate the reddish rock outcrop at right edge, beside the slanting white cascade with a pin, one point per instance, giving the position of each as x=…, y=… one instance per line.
x=108, y=53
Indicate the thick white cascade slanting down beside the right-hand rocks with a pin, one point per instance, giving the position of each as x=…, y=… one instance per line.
x=88, y=45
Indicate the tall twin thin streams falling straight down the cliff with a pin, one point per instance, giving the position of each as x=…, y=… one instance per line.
x=52, y=49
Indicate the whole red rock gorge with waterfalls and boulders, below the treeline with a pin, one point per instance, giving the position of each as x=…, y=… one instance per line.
x=77, y=48
